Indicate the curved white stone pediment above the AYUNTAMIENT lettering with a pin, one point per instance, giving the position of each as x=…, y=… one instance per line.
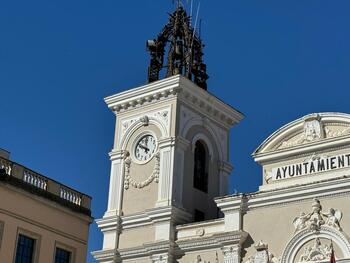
x=315, y=136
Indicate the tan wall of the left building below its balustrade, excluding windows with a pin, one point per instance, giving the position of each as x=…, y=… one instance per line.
x=49, y=222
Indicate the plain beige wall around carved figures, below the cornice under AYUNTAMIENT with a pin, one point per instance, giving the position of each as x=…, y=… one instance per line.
x=274, y=224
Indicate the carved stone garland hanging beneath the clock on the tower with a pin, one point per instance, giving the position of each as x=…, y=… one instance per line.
x=130, y=181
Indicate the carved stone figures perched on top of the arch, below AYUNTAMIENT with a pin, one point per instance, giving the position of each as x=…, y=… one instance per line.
x=317, y=218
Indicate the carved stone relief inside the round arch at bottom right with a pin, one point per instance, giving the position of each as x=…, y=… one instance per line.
x=316, y=252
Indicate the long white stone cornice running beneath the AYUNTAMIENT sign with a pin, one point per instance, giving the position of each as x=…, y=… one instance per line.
x=284, y=196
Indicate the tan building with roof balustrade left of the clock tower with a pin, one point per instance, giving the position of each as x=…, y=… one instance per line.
x=41, y=220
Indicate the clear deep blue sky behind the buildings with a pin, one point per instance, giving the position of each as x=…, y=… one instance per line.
x=273, y=60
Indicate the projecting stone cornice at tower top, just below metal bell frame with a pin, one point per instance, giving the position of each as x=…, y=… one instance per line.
x=176, y=86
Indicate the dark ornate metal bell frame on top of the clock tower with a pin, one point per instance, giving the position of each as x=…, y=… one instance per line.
x=177, y=50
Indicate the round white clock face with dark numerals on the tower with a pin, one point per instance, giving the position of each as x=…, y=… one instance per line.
x=144, y=147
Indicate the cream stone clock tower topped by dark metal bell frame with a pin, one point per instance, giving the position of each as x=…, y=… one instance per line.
x=170, y=157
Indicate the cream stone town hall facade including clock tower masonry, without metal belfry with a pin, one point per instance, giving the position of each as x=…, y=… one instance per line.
x=300, y=209
